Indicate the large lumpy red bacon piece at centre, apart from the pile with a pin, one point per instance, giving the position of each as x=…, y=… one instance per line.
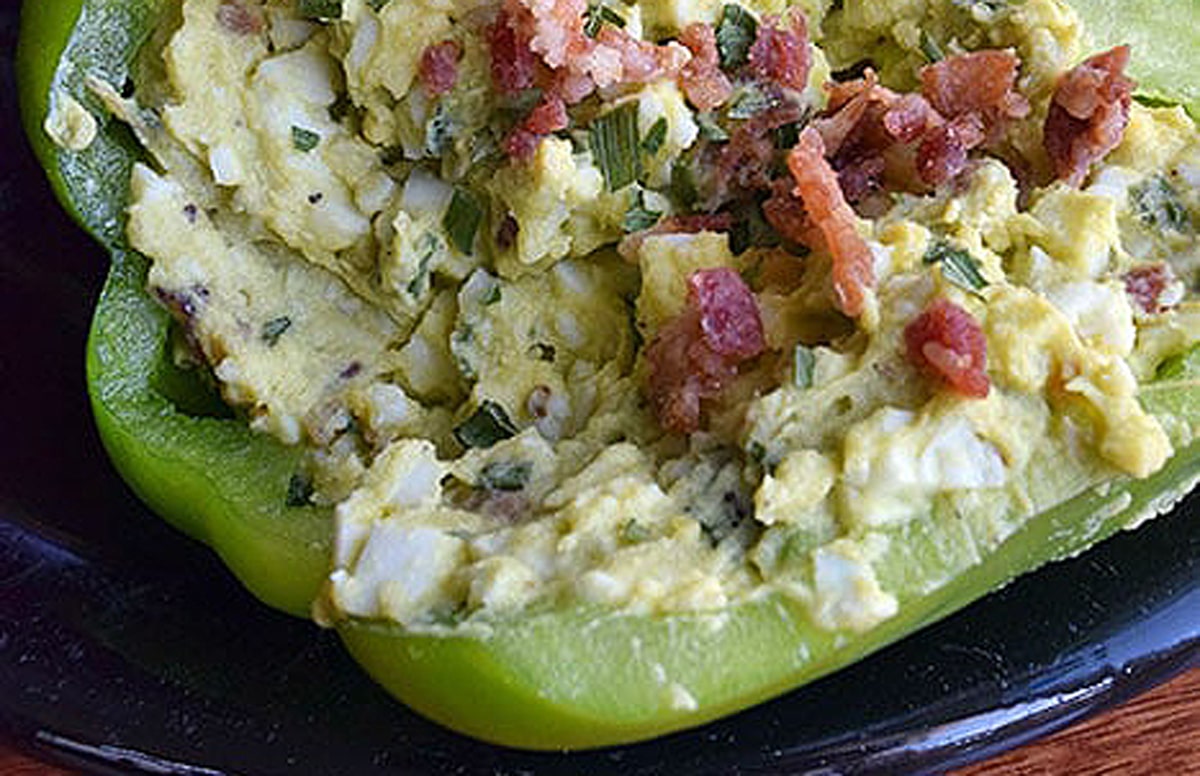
x=697, y=356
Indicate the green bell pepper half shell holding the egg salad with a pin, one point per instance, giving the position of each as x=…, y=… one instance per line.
x=554, y=679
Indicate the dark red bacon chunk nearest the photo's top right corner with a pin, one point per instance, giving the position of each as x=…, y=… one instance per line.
x=1089, y=115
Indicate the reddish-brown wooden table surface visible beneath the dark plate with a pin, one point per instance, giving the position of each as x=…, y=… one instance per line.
x=1156, y=733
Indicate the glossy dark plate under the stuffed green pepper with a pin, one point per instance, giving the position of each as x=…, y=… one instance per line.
x=127, y=648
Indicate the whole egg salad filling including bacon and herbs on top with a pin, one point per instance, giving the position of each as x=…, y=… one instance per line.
x=662, y=306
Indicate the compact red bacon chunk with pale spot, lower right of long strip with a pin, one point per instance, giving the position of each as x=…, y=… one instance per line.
x=947, y=345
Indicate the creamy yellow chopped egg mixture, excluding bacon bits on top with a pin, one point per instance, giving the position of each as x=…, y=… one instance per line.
x=458, y=339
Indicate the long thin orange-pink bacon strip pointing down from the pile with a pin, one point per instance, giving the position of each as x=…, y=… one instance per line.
x=817, y=185
